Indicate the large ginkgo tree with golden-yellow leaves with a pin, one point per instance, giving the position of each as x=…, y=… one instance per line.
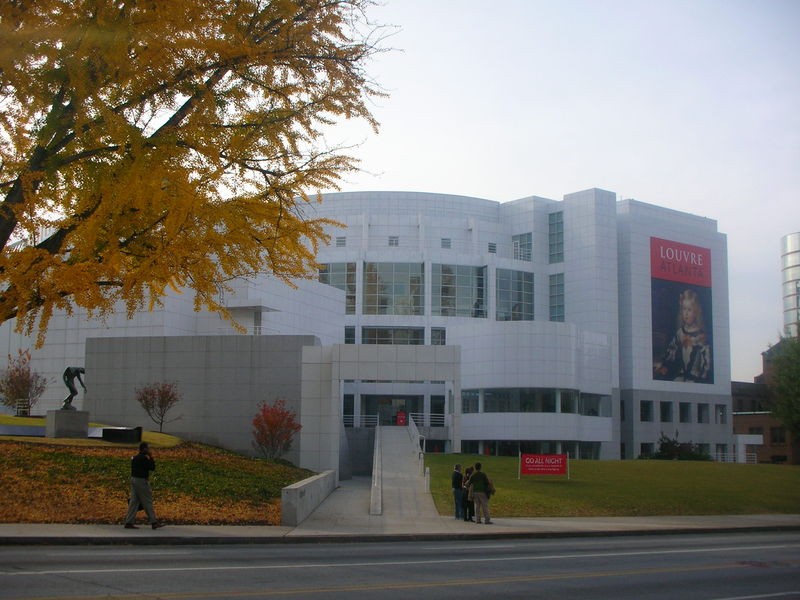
x=151, y=144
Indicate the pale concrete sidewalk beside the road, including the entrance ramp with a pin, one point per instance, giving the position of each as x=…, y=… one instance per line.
x=408, y=514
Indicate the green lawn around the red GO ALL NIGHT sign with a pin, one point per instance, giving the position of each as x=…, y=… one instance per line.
x=627, y=488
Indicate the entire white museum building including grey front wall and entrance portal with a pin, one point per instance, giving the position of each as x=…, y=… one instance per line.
x=557, y=316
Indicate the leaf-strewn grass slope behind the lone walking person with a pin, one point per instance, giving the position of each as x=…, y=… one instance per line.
x=89, y=483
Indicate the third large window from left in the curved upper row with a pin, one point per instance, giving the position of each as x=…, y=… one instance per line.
x=458, y=291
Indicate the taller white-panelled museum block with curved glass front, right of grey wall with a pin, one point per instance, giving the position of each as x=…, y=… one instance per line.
x=551, y=303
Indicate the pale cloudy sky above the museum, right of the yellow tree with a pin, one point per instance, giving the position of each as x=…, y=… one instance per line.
x=691, y=105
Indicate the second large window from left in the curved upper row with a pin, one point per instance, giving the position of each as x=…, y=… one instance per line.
x=394, y=289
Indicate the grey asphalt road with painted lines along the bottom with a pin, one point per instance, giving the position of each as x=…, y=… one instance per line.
x=705, y=567
